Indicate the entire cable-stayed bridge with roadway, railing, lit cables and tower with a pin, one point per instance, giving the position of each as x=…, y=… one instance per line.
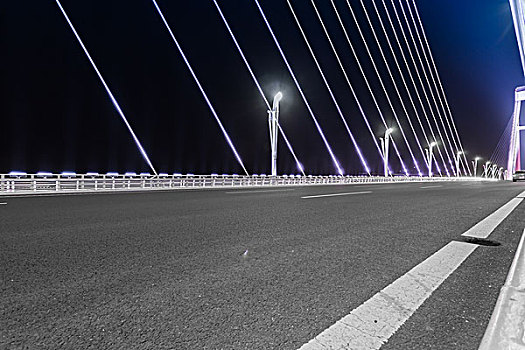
x=407, y=246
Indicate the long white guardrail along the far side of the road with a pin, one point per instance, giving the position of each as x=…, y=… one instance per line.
x=17, y=182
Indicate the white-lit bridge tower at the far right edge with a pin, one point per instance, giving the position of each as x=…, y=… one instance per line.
x=514, y=161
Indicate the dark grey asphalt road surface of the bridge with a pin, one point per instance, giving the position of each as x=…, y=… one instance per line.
x=266, y=268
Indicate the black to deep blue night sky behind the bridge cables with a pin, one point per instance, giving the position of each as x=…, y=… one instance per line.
x=55, y=114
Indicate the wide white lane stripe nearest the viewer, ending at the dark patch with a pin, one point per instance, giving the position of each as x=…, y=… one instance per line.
x=371, y=324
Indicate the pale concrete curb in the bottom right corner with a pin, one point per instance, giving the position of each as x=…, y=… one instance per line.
x=507, y=324
